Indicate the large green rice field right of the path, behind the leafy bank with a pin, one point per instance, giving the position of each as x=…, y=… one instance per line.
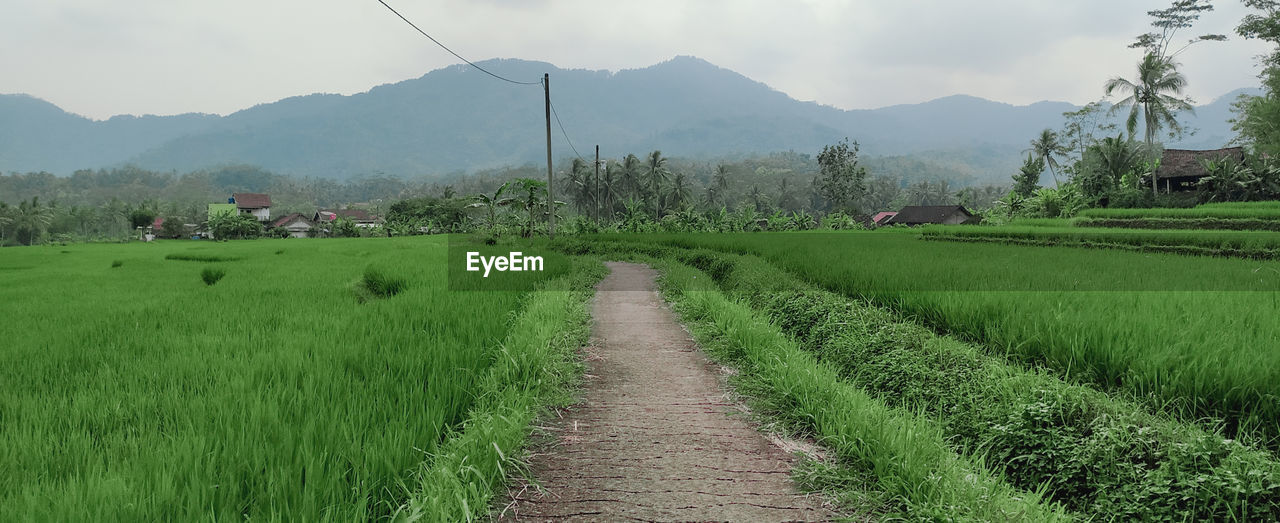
x=1188, y=336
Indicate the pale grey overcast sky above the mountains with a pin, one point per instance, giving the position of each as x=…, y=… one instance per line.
x=100, y=58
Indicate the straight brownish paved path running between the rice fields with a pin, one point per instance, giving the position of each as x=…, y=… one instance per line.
x=656, y=438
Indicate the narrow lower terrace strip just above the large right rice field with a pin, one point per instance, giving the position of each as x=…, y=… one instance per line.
x=1247, y=245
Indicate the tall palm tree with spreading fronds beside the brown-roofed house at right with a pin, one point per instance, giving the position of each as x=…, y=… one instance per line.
x=1154, y=94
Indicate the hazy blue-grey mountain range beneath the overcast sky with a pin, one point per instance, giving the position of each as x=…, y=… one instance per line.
x=460, y=120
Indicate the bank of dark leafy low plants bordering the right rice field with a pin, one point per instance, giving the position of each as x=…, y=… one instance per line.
x=1092, y=453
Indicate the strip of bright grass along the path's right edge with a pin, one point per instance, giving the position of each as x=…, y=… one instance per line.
x=906, y=453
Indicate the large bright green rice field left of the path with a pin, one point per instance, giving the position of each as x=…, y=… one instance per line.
x=138, y=393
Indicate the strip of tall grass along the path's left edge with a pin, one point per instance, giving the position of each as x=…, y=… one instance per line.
x=536, y=369
